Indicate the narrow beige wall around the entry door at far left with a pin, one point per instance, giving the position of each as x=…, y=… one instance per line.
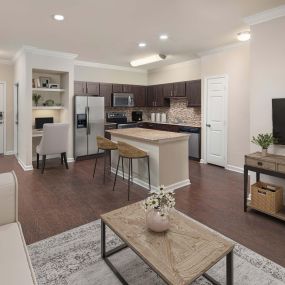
x=7, y=75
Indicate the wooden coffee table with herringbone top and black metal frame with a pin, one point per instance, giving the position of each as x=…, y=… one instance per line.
x=179, y=256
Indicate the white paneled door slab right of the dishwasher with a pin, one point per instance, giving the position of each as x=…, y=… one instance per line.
x=216, y=120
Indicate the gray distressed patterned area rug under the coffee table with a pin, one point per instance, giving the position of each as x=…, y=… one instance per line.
x=73, y=257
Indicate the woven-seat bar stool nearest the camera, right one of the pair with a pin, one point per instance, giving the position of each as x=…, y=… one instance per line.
x=130, y=152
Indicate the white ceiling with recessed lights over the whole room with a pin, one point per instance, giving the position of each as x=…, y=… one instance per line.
x=108, y=31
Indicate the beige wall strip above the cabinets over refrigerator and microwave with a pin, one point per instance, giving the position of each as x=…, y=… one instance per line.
x=96, y=74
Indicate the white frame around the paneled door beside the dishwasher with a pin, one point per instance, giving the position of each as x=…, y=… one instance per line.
x=205, y=117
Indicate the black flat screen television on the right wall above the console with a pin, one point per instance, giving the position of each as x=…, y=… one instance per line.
x=278, y=119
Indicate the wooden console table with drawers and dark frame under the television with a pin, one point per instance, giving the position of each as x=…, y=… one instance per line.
x=272, y=165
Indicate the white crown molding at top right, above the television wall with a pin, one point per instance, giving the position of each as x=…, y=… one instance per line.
x=265, y=16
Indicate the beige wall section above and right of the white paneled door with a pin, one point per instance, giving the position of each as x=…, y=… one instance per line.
x=235, y=63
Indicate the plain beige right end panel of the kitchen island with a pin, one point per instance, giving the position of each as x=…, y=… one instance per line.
x=174, y=164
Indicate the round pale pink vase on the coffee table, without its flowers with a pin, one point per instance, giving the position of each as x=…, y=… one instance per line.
x=157, y=222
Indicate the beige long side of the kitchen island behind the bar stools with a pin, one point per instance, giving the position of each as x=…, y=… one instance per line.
x=140, y=172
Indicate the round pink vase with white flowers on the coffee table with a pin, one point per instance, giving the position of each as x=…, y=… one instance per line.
x=157, y=208
